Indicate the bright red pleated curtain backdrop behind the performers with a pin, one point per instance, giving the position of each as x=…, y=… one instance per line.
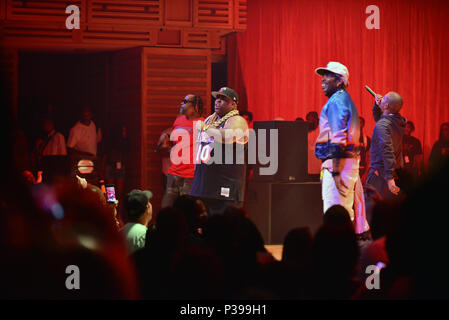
x=271, y=65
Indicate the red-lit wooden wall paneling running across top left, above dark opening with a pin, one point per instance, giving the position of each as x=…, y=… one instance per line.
x=119, y=24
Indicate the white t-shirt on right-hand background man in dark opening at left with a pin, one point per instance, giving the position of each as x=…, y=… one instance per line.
x=84, y=138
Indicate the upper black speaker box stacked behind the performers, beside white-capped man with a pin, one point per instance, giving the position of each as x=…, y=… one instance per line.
x=292, y=149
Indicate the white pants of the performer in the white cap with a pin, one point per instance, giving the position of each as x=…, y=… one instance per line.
x=349, y=176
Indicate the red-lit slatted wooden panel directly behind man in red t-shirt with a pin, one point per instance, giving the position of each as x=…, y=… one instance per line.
x=168, y=75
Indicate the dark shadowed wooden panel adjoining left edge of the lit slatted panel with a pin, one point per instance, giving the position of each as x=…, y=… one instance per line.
x=125, y=105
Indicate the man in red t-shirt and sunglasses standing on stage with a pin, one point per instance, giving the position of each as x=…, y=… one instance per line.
x=182, y=168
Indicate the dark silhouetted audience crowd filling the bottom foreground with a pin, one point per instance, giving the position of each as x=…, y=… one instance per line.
x=187, y=255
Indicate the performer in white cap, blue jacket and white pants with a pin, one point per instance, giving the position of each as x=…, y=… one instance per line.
x=337, y=146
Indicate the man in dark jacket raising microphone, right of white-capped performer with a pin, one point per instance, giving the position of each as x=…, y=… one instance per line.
x=386, y=144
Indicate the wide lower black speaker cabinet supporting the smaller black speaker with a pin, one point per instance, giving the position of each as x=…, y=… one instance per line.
x=276, y=208
